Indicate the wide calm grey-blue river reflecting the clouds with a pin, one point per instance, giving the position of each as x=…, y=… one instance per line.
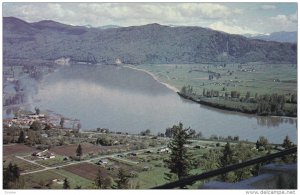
x=123, y=99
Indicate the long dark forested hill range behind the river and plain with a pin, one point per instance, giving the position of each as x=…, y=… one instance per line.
x=152, y=43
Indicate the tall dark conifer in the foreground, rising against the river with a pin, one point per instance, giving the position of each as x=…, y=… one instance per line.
x=179, y=162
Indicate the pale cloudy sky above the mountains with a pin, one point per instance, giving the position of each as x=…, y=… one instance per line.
x=236, y=18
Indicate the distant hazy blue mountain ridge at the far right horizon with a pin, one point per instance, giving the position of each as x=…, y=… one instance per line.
x=288, y=37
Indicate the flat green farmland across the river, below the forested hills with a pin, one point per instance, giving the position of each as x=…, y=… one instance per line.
x=257, y=78
